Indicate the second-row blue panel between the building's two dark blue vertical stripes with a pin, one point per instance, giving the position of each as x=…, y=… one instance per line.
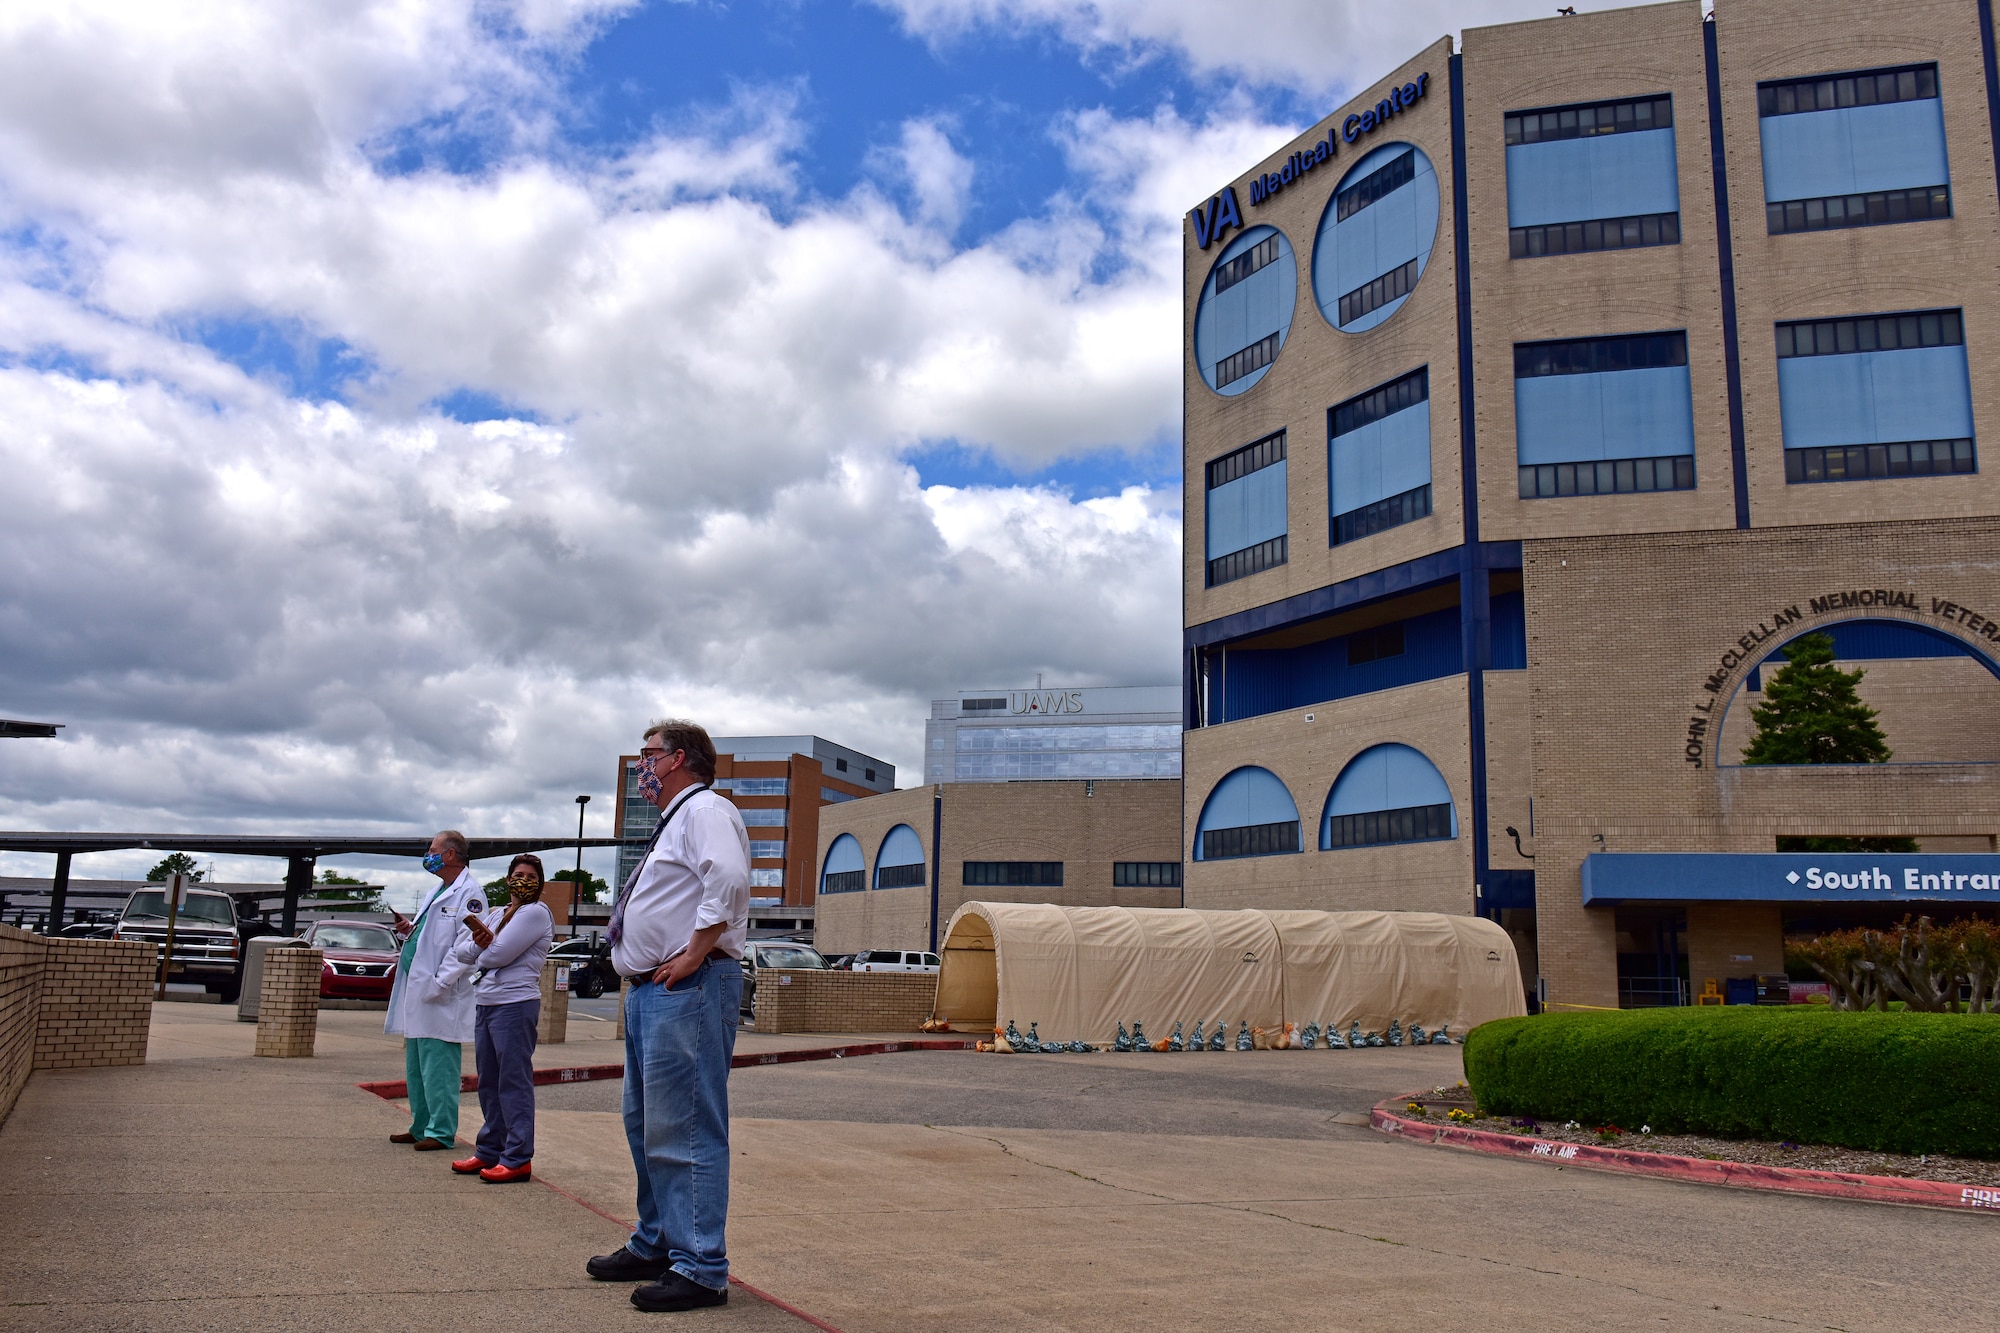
x=1611, y=415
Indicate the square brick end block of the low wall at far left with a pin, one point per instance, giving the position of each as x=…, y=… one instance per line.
x=97, y=1004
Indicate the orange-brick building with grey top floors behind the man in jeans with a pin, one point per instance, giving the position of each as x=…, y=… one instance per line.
x=781, y=786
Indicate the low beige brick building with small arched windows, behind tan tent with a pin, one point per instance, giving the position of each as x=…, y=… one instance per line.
x=1085, y=826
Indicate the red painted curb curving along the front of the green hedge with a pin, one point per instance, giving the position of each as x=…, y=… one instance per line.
x=1691, y=1170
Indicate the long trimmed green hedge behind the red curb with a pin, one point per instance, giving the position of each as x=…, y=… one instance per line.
x=1883, y=1082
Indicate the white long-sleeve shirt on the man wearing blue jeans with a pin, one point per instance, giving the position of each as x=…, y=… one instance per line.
x=697, y=876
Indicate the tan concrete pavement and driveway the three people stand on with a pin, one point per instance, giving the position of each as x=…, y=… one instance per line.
x=911, y=1192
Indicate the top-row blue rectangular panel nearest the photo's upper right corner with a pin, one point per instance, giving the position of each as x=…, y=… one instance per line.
x=1855, y=149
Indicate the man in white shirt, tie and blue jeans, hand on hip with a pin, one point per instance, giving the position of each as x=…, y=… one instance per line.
x=679, y=936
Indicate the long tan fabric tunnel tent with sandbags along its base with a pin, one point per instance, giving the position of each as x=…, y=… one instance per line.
x=1081, y=972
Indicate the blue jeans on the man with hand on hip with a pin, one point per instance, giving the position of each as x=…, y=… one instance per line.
x=677, y=1108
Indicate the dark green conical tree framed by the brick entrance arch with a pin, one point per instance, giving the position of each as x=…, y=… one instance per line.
x=1813, y=716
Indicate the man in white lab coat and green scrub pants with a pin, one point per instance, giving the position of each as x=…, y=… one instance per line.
x=431, y=1006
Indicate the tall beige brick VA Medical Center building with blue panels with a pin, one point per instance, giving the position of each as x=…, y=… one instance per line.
x=1535, y=401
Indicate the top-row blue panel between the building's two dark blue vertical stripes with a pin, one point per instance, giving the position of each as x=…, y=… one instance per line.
x=1583, y=179
